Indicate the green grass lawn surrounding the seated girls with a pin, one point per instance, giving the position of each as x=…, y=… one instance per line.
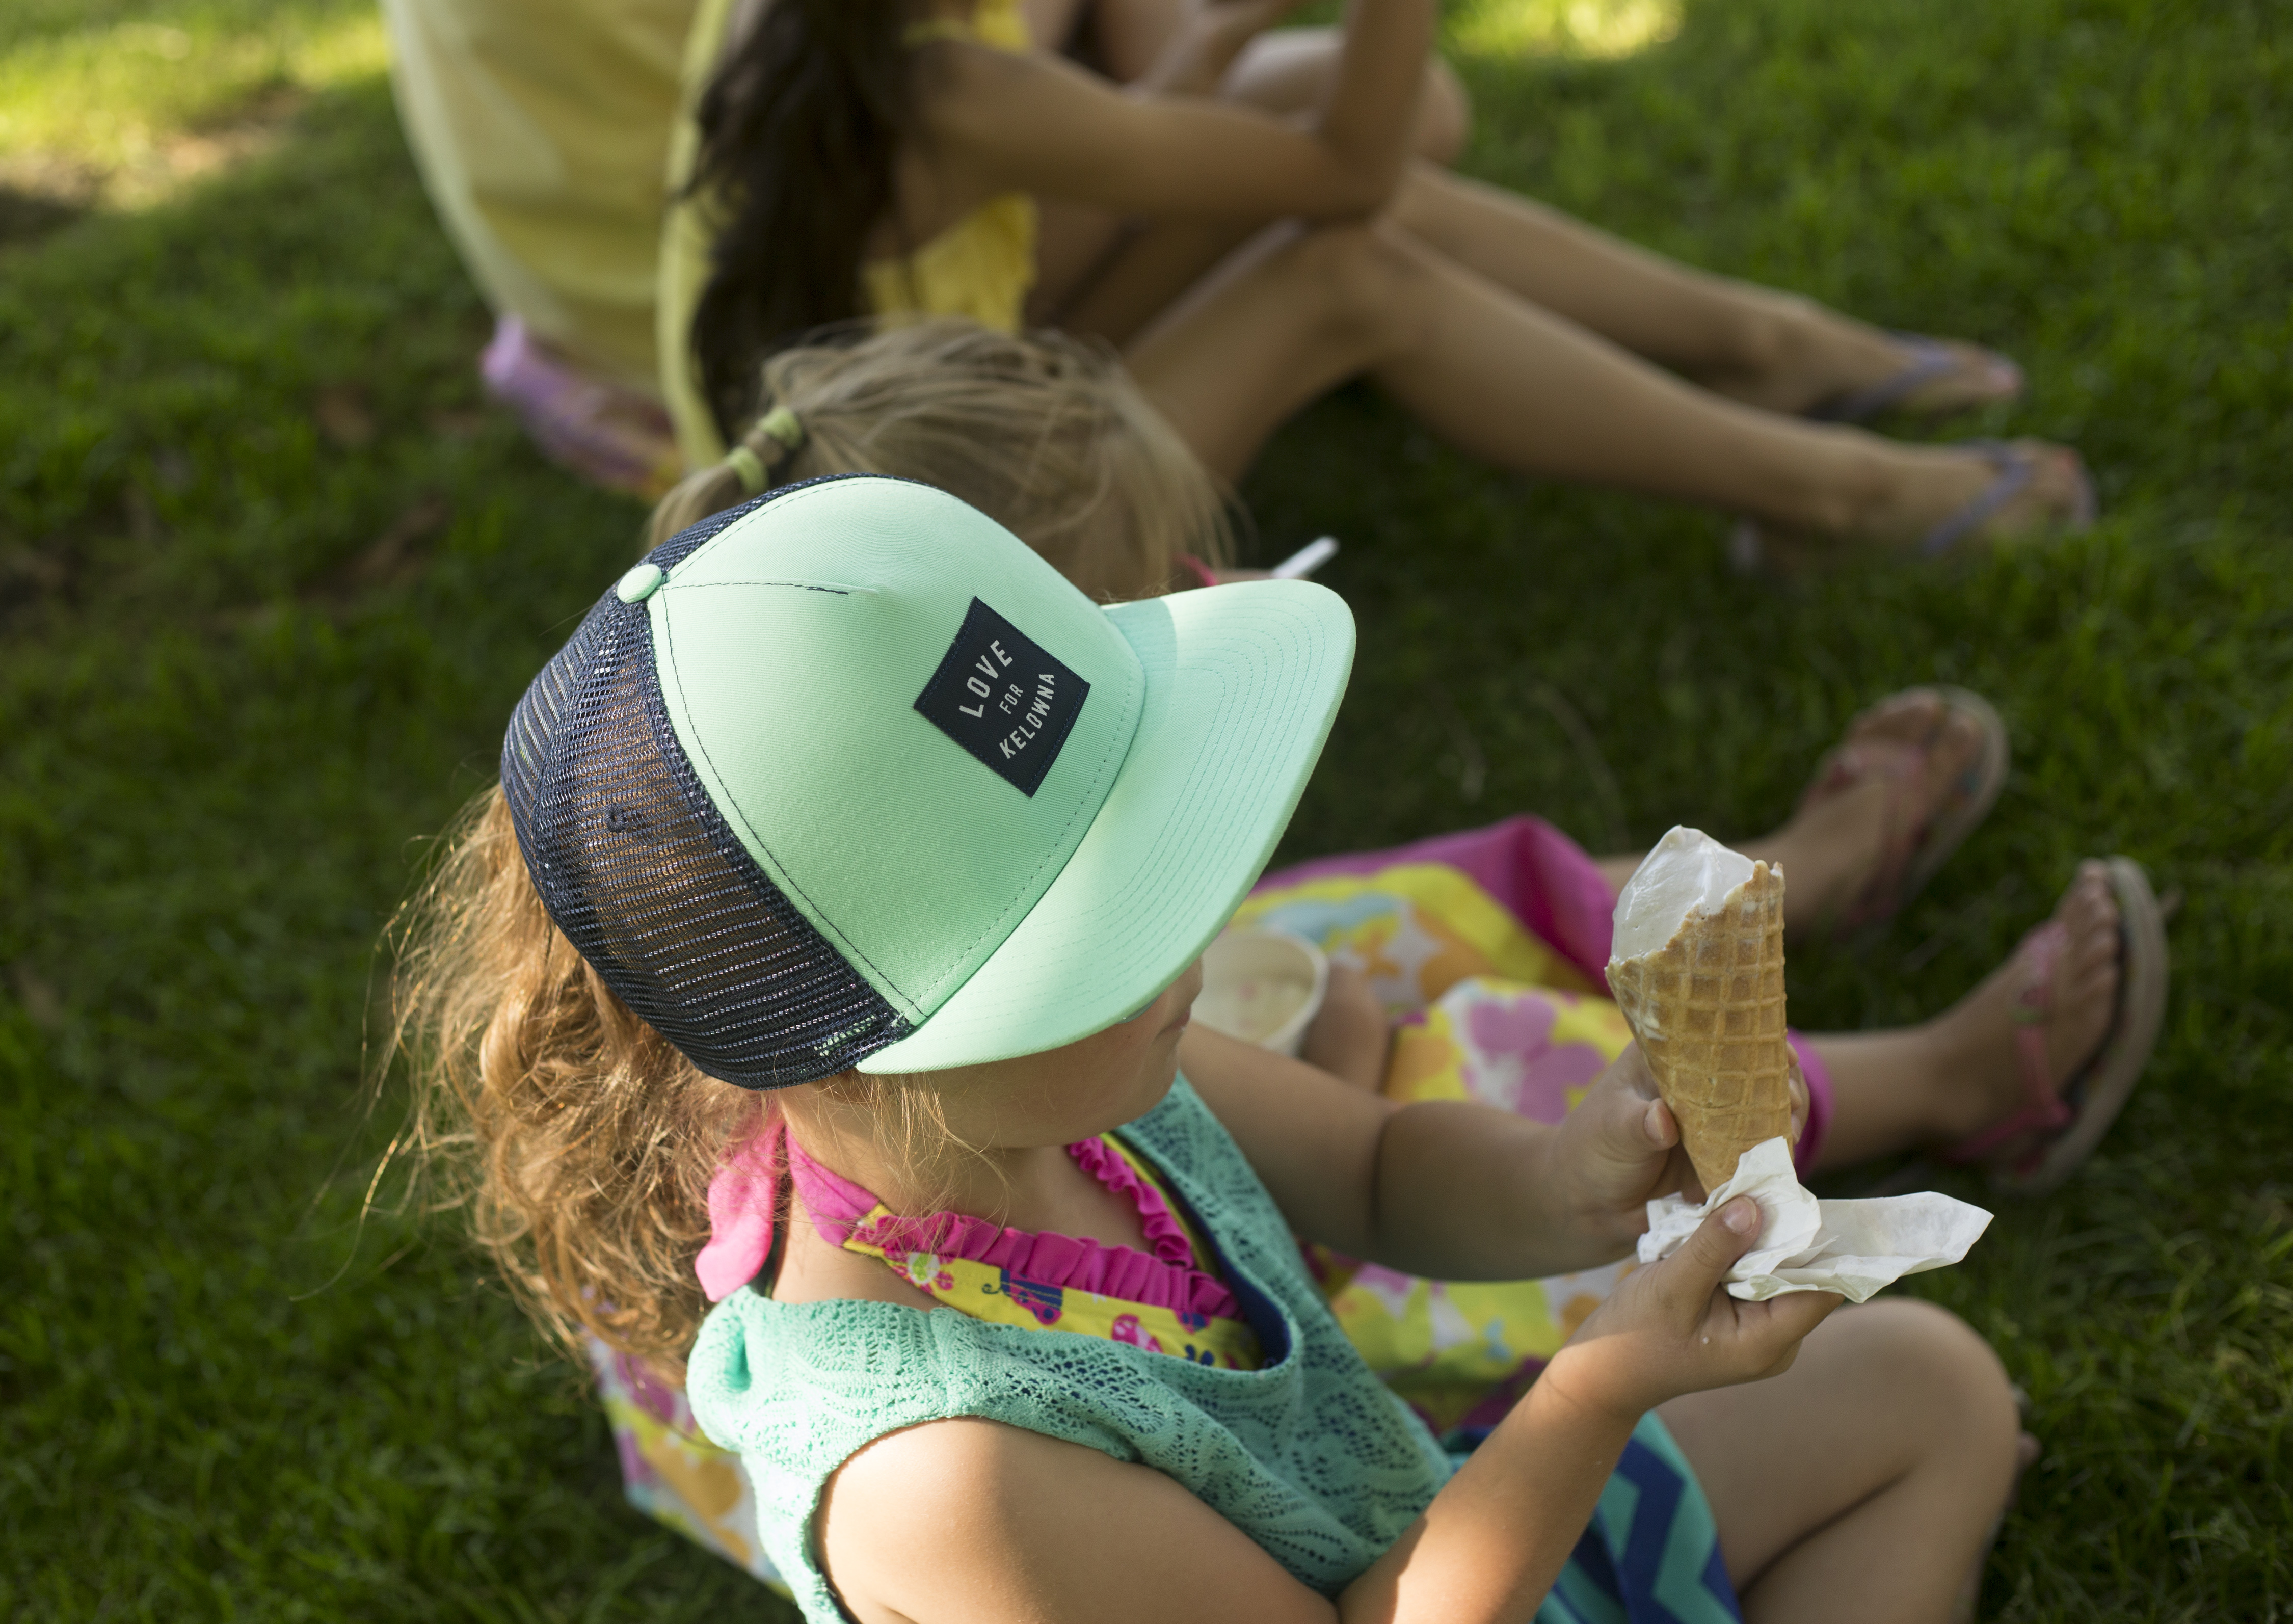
x=272, y=577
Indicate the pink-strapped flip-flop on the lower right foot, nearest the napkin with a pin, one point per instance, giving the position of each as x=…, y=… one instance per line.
x=2076, y=1116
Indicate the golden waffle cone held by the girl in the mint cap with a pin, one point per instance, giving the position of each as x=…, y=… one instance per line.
x=1709, y=1015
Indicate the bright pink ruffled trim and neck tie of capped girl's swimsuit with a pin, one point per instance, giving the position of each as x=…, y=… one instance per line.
x=746, y=1194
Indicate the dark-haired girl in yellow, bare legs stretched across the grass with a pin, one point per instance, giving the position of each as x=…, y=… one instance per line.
x=893, y=157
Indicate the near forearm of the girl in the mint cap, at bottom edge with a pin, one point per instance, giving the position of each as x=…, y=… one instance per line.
x=1496, y=1538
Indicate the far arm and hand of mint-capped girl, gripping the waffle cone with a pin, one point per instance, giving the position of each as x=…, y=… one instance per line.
x=1446, y=1189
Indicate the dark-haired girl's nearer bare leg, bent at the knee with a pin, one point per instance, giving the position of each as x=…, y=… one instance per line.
x=1301, y=311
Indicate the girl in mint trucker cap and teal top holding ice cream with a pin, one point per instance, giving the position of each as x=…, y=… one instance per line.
x=861, y=990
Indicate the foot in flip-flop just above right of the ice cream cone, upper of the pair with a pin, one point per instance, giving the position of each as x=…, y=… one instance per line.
x=1888, y=779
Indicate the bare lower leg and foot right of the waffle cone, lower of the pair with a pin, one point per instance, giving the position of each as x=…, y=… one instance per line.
x=1957, y=1075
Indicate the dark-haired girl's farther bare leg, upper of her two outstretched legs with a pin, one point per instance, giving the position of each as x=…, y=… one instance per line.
x=1751, y=343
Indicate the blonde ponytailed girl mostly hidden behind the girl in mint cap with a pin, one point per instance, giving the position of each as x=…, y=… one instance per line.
x=1471, y=967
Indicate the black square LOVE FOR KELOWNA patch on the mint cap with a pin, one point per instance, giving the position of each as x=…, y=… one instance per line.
x=1005, y=698
